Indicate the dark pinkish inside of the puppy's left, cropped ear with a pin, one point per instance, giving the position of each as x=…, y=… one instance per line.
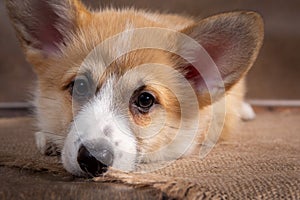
x=45, y=31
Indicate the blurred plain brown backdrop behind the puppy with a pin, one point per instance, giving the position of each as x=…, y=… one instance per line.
x=276, y=74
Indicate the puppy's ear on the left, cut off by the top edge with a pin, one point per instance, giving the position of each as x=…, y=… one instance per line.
x=43, y=25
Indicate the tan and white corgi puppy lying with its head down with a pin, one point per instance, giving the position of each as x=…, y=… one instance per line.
x=121, y=87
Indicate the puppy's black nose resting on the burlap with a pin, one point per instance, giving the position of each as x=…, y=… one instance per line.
x=89, y=164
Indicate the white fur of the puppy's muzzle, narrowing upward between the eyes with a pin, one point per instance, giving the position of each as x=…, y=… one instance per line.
x=102, y=120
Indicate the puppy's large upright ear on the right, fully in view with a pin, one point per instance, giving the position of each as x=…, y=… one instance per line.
x=232, y=41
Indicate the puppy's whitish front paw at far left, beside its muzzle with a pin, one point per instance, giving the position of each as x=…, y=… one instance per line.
x=46, y=144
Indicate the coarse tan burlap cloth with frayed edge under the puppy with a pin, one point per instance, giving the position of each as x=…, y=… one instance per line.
x=262, y=160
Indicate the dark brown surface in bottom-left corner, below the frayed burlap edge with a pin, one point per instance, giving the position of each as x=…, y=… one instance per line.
x=25, y=184
